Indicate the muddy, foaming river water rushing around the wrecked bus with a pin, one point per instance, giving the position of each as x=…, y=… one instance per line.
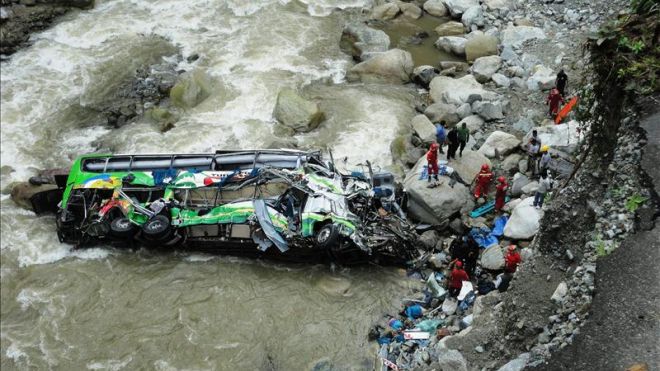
x=111, y=309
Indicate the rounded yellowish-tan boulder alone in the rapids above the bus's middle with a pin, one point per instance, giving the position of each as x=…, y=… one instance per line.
x=297, y=113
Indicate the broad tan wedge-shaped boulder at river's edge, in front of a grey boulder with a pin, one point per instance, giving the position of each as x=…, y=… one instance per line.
x=393, y=66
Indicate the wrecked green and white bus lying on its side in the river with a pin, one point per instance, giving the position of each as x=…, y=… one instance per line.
x=280, y=204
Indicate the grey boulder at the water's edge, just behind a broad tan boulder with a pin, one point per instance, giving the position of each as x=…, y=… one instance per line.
x=358, y=39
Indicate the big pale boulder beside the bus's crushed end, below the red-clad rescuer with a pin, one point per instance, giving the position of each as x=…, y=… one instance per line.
x=434, y=205
